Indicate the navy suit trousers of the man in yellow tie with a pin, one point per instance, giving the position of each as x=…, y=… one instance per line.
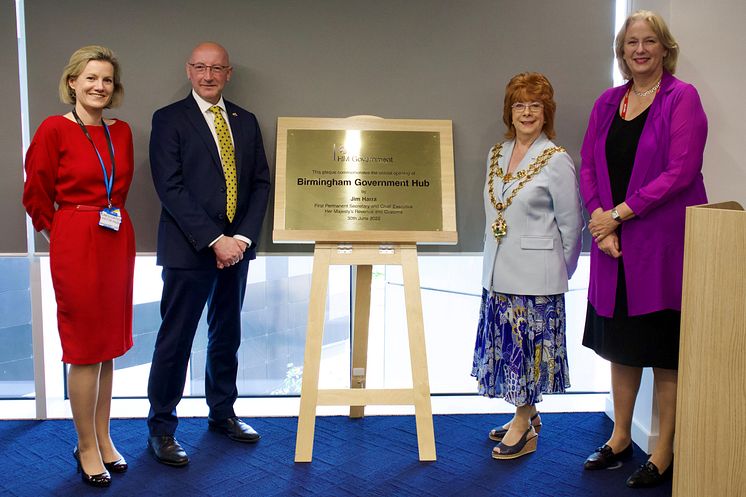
x=185, y=293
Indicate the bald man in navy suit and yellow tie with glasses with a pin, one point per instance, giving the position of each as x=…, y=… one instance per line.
x=211, y=175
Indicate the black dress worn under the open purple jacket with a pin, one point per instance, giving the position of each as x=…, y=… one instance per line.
x=644, y=340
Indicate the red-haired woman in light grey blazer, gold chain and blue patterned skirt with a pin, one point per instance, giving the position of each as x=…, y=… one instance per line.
x=531, y=248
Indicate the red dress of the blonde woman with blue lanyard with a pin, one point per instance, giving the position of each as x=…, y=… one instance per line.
x=92, y=267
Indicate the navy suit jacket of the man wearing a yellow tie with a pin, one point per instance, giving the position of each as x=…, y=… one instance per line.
x=189, y=180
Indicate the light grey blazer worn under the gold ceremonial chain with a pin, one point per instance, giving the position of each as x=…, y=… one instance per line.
x=540, y=251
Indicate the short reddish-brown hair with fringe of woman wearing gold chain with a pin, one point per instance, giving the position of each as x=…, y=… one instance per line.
x=529, y=87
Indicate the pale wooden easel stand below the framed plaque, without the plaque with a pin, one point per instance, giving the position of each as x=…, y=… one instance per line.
x=364, y=256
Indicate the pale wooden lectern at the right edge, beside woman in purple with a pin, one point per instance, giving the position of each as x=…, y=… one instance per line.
x=710, y=445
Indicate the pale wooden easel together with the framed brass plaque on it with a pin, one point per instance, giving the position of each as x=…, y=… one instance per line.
x=314, y=220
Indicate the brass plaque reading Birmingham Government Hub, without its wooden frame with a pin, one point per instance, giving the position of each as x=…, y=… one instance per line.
x=355, y=180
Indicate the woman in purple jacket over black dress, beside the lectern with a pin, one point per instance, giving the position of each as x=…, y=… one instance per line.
x=641, y=167
